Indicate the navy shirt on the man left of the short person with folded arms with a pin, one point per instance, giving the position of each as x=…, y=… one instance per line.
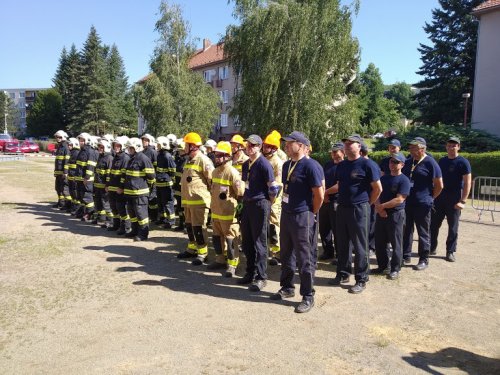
x=355, y=178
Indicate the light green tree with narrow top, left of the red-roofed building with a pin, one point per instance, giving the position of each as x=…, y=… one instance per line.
x=173, y=99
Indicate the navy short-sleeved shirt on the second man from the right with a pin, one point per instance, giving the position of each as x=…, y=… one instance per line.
x=422, y=180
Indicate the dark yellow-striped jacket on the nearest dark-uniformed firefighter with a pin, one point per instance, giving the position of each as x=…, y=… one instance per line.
x=139, y=176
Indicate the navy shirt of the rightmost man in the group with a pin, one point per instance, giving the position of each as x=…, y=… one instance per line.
x=453, y=171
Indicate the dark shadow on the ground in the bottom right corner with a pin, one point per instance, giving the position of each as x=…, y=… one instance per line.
x=469, y=362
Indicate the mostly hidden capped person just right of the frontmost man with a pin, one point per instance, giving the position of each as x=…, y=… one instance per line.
x=328, y=211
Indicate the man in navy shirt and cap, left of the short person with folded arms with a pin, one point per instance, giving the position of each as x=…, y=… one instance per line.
x=359, y=187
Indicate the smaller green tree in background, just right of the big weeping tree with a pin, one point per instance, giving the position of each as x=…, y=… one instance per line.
x=377, y=112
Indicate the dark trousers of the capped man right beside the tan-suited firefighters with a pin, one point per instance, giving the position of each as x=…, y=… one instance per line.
x=254, y=227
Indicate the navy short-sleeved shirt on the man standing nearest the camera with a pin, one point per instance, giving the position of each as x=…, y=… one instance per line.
x=305, y=174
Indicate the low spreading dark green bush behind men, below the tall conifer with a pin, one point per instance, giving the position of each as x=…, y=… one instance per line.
x=473, y=140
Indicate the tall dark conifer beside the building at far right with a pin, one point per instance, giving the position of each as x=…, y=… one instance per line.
x=449, y=62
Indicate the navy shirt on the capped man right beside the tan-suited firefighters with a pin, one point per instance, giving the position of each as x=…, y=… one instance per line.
x=258, y=174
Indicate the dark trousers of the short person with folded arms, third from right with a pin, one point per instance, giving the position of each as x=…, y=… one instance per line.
x=390, y=230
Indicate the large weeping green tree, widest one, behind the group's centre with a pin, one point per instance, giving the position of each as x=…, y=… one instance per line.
x=296, y=61
